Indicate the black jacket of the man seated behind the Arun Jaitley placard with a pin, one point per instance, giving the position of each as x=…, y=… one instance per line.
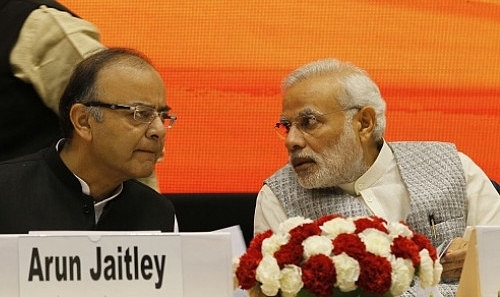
x=38, y=192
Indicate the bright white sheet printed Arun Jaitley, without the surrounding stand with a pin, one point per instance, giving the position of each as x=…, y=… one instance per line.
x=113, y=265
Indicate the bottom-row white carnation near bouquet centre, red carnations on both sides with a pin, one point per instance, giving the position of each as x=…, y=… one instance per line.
x=348, y=271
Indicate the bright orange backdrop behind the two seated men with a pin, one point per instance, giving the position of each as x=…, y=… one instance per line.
x=437, y=64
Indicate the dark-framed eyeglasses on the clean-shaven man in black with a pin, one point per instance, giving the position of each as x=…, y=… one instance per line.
x=142, y=113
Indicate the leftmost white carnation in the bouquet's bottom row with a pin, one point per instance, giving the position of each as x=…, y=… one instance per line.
x=268, y=274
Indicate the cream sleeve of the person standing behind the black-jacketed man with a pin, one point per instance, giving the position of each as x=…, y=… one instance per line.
x=50, y=44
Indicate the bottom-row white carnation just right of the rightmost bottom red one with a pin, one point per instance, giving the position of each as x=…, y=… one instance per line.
x=401, y=275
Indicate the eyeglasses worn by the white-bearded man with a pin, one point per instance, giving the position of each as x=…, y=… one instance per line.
x=307, y=123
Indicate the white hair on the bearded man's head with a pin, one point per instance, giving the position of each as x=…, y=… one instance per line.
x=356, y=88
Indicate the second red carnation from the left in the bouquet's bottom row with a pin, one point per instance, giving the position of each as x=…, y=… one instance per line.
x=319, y=275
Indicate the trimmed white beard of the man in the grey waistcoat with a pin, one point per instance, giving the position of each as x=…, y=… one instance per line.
x=340, y=164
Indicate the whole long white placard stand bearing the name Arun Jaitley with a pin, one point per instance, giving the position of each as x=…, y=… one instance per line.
x=93, y=264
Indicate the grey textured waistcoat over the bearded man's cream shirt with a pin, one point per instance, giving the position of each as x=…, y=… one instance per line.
x=431, y=171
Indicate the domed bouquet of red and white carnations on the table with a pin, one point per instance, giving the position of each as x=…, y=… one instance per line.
x=337, y=256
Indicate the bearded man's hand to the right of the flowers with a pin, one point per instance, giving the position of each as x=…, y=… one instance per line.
x=453, y=259
